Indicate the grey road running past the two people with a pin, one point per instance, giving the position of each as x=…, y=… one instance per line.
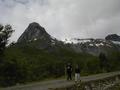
x=46, y=85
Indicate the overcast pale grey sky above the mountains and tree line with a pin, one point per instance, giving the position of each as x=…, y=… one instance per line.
x=63, y=18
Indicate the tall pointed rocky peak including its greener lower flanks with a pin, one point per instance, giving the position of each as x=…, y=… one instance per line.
x=36, y=36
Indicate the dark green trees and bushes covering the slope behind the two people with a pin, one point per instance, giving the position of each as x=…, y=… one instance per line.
x=26, y=64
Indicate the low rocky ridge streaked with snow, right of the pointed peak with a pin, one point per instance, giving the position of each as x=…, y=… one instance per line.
x=93, y=46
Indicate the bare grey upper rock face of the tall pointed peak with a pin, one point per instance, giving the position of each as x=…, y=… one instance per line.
x=34, y=32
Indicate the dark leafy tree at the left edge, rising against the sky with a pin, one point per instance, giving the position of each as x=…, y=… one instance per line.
x=5, y=33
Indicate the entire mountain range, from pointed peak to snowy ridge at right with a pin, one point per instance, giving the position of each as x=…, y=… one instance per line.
x=36, y=36
